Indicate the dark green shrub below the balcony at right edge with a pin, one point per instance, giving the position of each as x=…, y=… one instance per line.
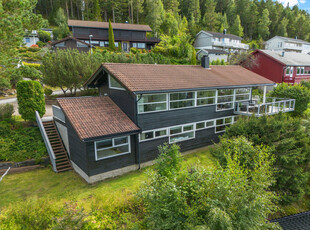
x=289, y=142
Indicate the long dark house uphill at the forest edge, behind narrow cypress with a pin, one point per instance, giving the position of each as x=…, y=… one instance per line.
x=128, y=35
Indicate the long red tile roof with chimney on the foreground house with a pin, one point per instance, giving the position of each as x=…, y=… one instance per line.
x=150, y=77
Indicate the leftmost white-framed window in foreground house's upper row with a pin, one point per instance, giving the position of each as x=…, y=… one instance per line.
x=152, y=103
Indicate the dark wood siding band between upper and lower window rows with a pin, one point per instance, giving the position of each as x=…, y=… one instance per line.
x=164, y=119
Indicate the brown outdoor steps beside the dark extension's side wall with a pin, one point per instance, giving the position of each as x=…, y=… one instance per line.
x=62, y=160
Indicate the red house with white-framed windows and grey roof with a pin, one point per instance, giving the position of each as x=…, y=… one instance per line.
x=289, y=67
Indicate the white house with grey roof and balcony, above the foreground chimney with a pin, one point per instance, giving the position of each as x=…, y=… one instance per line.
x=221, y=41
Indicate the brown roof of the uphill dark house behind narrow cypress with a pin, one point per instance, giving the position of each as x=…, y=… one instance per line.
x=105, y=25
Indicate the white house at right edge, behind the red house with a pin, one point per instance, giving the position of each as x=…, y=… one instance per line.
x=279, y=43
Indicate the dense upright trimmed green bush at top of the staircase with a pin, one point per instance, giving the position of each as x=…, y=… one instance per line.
x=30, y=97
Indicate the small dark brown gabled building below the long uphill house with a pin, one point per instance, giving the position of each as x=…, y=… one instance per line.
x=72, y=43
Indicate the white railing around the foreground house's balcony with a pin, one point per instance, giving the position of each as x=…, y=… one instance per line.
x=259, y=108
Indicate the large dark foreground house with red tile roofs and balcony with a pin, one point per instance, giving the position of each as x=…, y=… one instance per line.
x=142, y=106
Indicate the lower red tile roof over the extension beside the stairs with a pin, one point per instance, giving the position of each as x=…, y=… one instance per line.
x=96, y=116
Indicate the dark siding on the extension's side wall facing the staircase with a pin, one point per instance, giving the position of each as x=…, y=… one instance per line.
x=77, y=149
